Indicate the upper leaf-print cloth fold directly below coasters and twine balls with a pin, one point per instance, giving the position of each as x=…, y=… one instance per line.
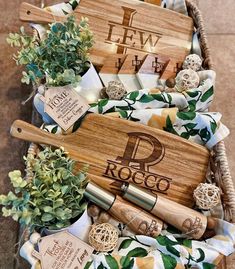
x=198, y=99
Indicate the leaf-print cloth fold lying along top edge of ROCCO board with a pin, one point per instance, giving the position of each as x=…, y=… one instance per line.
x=202, y=128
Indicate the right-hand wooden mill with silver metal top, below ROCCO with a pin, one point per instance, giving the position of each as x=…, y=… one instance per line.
x=187, y=220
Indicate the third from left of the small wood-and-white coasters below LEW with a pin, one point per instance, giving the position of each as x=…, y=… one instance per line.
x=151, y=70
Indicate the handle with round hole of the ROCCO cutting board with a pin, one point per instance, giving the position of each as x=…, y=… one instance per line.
x=28, y=132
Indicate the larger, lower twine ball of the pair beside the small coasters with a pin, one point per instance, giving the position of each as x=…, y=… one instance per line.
x=186, y=80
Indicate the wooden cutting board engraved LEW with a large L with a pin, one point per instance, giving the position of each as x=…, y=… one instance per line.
x=127, y=26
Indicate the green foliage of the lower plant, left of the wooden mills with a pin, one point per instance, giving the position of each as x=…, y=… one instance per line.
x=52, y=198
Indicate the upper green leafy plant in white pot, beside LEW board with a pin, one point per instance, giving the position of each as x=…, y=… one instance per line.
x=59, y=58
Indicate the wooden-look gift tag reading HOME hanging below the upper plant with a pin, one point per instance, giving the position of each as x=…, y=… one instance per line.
x=64, y=105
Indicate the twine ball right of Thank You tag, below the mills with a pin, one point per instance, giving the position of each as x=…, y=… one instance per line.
x=103, y=237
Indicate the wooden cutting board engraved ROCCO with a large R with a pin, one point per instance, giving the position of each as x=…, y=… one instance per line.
x=118, y=149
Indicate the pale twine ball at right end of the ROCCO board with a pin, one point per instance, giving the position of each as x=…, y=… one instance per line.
x=206, y=196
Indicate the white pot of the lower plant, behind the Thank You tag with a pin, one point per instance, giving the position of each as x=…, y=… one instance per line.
x=79, y=228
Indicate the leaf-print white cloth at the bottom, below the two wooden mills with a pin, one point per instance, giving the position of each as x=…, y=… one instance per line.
x=167, y=252
